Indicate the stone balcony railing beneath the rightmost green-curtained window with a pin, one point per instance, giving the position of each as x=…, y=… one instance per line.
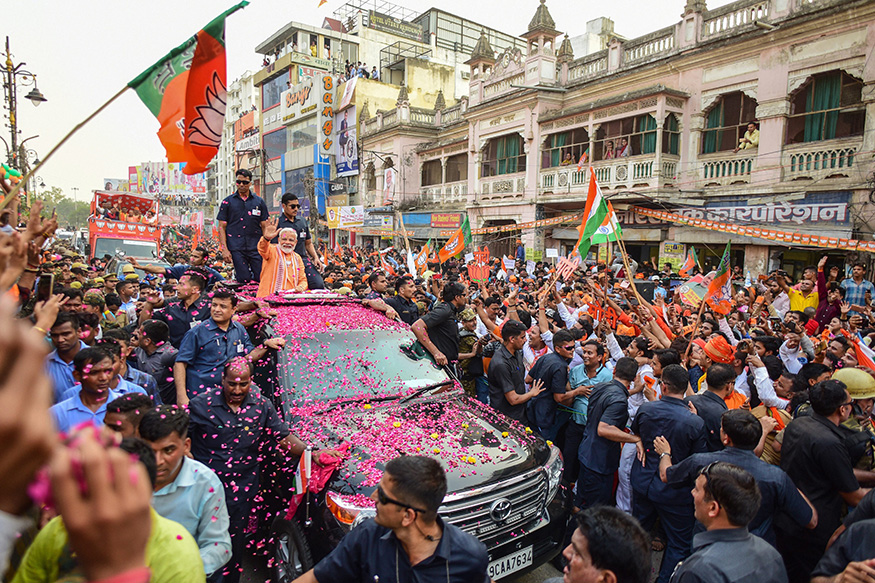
x=818, y=160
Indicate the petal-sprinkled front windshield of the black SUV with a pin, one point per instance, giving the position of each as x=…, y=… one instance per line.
x=353, y=363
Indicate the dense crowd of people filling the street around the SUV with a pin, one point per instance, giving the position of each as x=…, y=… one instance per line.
x=739, y=444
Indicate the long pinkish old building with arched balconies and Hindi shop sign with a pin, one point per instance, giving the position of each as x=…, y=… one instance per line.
x=659, y=119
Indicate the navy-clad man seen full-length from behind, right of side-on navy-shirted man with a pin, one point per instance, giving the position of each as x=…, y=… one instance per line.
x=651, y=497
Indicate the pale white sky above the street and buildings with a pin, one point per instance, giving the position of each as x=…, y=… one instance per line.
x=84, y=51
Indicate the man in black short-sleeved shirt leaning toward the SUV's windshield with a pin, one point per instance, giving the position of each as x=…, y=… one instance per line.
x=438, y=330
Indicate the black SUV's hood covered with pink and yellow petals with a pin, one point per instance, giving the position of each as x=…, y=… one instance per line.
x=474, y=443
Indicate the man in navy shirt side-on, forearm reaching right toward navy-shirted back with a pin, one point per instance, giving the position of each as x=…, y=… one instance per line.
x=599, y=452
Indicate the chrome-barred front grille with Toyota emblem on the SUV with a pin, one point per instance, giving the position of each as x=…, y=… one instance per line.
x=470, y=509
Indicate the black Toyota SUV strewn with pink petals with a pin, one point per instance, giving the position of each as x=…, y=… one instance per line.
x=347, y=375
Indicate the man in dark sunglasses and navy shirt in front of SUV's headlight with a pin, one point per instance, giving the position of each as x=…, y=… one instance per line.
x=406, y=540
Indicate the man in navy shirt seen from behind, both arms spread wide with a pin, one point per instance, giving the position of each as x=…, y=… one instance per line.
x=741, y=433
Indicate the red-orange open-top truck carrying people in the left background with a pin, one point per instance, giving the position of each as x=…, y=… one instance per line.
x=117, y=226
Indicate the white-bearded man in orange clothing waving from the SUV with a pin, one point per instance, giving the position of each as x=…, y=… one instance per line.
x=282, y=269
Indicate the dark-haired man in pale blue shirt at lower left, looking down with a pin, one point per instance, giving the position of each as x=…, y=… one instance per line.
x=187, y=491
